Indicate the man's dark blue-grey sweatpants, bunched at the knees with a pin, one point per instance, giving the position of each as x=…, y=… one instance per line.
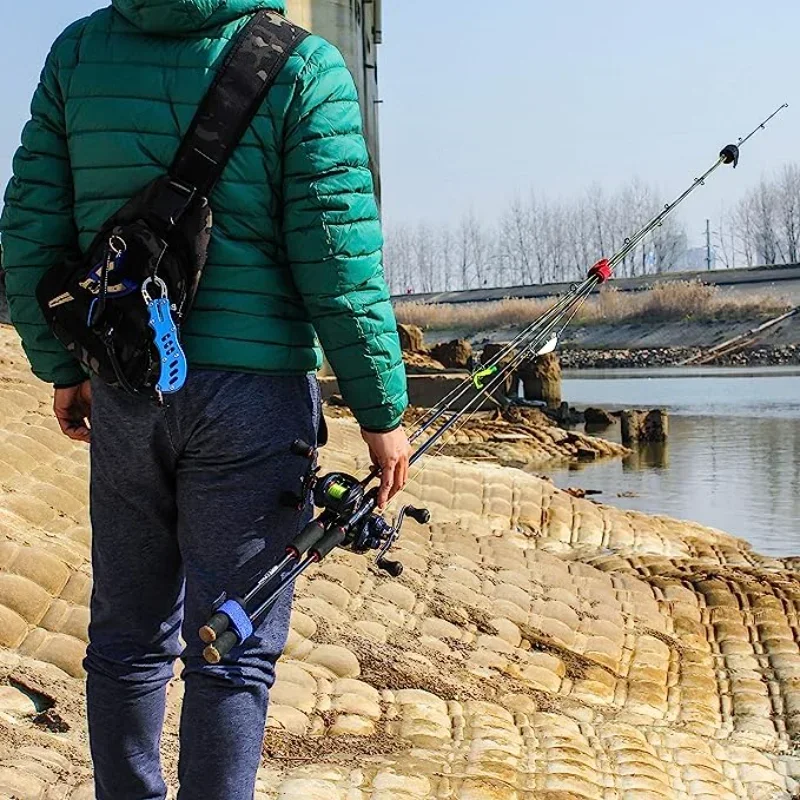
x=186, y=503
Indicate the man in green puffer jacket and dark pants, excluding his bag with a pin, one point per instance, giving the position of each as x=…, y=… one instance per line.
x=185, y=498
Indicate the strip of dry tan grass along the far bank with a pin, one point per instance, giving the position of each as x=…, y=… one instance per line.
x=665, y=302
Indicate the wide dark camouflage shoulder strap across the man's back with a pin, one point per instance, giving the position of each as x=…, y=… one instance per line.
x=255, y=59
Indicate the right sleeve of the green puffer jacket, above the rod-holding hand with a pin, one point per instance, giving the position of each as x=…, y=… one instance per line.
x=334, y=241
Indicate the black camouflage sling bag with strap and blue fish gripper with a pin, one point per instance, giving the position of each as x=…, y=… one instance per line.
x=119, y=309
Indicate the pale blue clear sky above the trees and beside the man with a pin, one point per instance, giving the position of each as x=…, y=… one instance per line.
x=481, y=105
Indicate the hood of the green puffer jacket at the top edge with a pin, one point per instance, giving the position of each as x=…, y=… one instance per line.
x=173, y=17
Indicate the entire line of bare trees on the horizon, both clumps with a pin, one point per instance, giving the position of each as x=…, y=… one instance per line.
x=538, y=240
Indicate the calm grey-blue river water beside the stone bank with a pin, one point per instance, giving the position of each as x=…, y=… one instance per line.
x=733, y=456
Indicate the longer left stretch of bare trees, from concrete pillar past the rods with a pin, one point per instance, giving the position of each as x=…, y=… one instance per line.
x=535, y=240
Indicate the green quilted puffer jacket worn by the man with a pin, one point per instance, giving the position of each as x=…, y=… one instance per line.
x=297, y=241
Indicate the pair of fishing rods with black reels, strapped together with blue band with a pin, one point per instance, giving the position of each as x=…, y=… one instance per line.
x=350, y=517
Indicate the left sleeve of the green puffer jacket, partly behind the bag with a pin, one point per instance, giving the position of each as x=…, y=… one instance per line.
x=37, y=226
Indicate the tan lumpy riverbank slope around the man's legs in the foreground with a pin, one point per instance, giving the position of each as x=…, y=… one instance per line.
x=538, y=645
